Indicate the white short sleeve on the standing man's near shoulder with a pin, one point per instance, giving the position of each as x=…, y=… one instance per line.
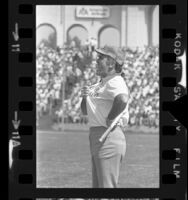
x=115, y=87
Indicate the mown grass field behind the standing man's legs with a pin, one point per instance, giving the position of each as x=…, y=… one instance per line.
x=63, y=160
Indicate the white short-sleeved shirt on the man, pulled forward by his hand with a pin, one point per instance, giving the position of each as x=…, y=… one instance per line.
x=101, y=98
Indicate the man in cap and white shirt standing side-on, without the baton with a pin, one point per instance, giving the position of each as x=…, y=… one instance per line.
x=103, y=102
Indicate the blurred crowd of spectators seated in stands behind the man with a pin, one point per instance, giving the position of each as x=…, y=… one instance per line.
x=62, y=72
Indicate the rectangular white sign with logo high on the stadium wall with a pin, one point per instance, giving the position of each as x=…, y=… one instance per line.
x=92, y=12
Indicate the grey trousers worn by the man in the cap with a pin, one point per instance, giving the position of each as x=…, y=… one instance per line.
x=106, y=157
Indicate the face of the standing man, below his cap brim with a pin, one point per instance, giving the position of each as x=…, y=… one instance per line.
x=103, y=68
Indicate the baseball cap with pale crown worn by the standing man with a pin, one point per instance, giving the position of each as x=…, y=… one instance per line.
x=112, y=51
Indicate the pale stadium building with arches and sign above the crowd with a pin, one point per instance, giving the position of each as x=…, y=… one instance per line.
x=126, y=26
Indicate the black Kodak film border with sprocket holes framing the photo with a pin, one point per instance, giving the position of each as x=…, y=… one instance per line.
x=22, y=107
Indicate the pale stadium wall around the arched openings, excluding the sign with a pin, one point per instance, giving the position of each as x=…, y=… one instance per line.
x=137, y=25
